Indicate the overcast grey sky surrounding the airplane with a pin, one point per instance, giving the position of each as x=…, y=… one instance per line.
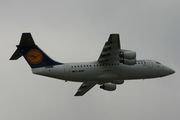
x=75, y=31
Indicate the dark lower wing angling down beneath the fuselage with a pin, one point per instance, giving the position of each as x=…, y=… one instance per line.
x=86, y=86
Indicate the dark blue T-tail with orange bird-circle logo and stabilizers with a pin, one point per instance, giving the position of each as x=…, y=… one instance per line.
x=32, y=53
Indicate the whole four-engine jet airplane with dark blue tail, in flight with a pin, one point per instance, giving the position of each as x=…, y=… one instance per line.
x=113, y=67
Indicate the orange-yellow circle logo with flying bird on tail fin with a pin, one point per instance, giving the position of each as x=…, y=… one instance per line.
x=34, y=56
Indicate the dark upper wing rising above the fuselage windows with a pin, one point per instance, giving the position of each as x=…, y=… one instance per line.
x=111, y=49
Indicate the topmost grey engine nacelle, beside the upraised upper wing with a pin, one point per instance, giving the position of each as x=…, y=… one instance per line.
x=127, y=54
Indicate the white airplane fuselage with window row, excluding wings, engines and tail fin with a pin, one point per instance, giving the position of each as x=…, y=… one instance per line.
x=103, y=72
